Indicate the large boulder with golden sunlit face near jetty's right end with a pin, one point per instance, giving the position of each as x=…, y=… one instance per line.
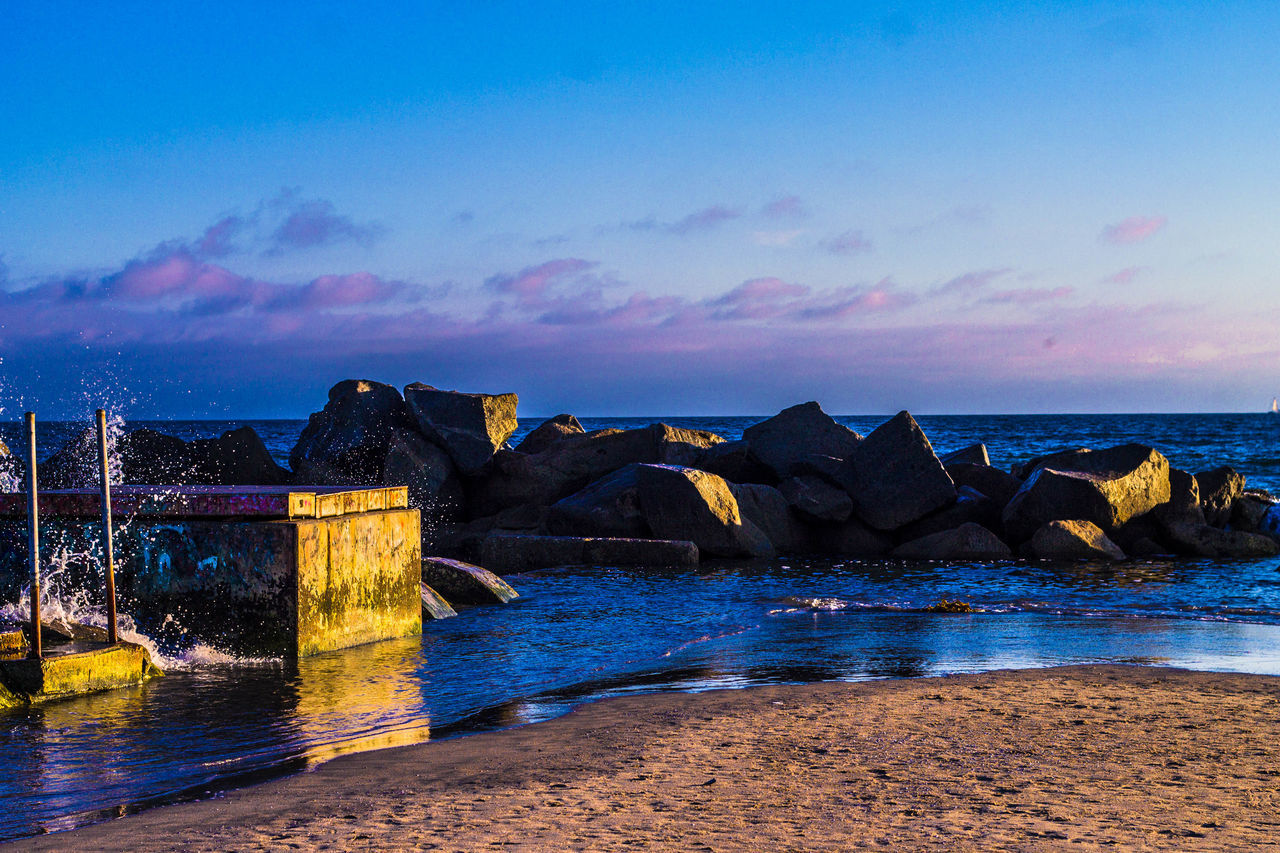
x=1104, y=487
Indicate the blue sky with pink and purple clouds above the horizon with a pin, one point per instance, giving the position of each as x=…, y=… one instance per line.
x=641, y=208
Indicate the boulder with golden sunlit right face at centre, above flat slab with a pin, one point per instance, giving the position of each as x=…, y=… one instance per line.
x=688, y=504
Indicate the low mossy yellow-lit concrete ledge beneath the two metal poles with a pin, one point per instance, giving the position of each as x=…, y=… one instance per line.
x=74, y=673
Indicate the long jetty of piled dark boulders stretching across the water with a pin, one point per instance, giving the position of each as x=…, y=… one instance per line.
x=797, y=483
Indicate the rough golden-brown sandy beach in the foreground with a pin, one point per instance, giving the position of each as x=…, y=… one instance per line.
x=1068, y=759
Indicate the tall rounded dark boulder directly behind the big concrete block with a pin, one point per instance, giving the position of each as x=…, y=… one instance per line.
x=346, y=444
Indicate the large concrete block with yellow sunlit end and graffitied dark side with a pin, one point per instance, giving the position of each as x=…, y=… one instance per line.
x=253, y=571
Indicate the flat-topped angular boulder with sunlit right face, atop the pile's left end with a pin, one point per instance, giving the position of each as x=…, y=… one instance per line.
x=472, y=428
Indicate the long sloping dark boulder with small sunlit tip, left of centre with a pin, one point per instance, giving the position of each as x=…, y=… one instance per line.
x=572, y=464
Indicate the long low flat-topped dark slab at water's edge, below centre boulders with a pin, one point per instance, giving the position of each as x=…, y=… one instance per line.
x=510, y=554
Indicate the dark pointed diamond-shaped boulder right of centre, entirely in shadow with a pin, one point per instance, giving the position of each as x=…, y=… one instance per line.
x=894, y=477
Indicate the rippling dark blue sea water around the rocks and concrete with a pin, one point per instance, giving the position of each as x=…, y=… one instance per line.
x=586, y=633
